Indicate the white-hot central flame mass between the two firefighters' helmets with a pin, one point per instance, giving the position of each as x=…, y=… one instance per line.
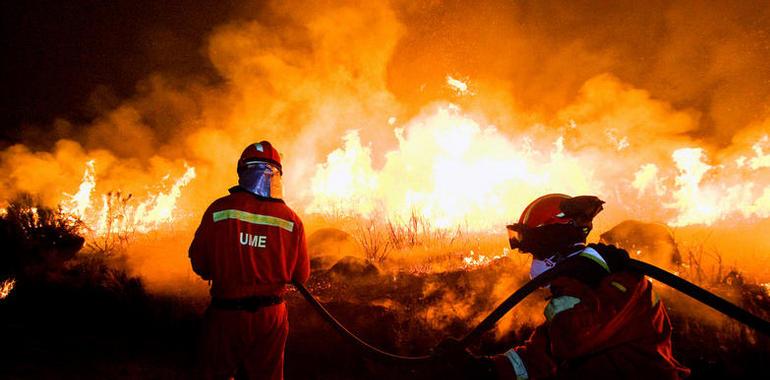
x=449, y=169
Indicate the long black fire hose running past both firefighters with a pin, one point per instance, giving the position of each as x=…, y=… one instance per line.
x=707, y=298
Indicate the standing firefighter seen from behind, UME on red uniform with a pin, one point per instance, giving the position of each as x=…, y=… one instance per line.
x=249, y=245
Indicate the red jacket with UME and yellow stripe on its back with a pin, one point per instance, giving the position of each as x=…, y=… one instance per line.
x=249, y=245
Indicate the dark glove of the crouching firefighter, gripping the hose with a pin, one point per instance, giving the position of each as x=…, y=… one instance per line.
x=453, y=361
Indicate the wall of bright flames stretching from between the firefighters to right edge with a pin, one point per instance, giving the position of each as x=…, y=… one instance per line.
x=454, y=171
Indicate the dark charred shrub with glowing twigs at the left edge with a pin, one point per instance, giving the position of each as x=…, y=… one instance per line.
x=43, y=249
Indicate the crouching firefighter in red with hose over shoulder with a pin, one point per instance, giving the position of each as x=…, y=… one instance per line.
x=602, y=322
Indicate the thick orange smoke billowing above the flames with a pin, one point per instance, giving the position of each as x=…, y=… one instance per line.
x=301, y=75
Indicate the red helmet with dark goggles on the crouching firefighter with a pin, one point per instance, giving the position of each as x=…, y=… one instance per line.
x=554, y=222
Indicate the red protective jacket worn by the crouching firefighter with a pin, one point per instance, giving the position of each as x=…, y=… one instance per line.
x=601, y=323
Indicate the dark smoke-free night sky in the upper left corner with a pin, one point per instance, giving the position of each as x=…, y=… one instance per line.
x=71, y=59
